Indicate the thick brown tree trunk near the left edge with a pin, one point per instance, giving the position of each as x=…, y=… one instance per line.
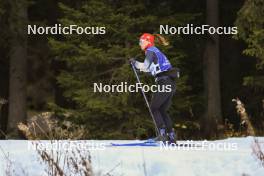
x=18, y=66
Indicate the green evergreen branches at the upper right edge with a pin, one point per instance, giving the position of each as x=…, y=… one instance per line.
x=250, y=23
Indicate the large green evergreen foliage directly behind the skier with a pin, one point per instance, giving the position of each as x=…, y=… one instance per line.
x=104, y=59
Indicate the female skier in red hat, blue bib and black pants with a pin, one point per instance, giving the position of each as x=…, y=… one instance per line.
x=157, y=64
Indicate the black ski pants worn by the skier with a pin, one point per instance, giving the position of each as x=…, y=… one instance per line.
x=160, y=103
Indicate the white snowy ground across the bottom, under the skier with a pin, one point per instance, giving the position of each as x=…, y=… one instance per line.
x=229, y=157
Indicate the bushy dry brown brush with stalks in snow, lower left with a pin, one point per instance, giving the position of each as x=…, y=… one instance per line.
x=58, y=162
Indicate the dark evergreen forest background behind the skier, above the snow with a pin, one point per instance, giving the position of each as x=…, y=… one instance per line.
x=46, y=80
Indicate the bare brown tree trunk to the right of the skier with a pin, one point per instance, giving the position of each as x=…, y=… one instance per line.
x=213, y=114
